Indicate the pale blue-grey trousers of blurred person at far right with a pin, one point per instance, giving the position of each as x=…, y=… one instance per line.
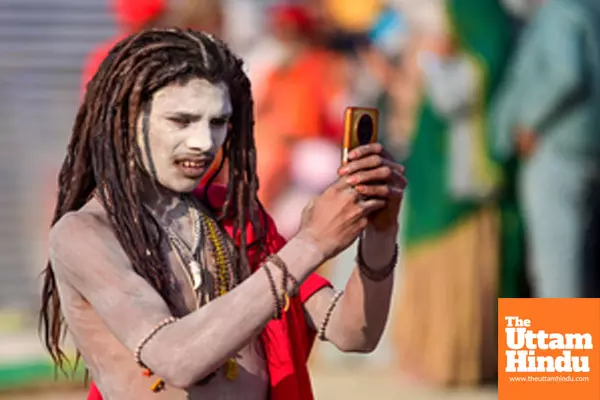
x=552, y=190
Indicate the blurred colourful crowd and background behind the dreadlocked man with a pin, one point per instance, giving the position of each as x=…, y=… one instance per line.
x=490, y=104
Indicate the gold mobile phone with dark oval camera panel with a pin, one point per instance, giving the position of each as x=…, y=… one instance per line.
x=360, y=127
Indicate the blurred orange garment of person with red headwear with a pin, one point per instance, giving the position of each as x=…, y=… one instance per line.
x=295, y=105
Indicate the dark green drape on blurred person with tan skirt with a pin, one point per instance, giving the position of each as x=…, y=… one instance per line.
x=483, y=30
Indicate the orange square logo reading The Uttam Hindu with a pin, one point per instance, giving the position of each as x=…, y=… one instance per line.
x=548, y=349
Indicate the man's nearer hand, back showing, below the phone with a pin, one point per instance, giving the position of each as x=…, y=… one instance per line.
x=335, y=219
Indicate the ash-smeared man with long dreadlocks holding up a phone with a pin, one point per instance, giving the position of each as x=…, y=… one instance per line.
x=156, y=276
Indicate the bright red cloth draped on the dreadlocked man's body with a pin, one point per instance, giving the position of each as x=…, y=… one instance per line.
x=288, y=341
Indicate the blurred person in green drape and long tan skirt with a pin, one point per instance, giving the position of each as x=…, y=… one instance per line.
x=462, y=233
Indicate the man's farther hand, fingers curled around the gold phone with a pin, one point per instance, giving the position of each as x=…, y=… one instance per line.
x=372, y=171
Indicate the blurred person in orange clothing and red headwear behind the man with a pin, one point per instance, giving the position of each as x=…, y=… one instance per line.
x=300, y=98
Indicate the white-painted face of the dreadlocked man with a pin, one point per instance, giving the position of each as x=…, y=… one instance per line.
x=182, y=132
